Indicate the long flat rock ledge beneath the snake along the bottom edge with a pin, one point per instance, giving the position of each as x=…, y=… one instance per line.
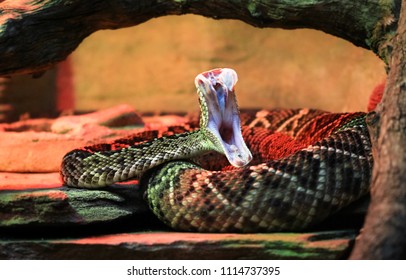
x=176, y=245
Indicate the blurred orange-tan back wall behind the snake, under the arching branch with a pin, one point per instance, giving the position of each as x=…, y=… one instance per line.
x=152, y=68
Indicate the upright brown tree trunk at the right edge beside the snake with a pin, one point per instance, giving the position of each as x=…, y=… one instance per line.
x=383, y=236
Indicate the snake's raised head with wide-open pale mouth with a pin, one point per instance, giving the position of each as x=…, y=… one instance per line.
x=220, y=118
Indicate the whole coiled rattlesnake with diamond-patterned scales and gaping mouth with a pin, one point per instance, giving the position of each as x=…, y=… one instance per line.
x=306, y=165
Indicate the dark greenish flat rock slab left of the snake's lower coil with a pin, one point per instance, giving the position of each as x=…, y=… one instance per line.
x=69, y=206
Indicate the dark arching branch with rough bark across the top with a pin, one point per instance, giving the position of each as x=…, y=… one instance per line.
x=36, y=34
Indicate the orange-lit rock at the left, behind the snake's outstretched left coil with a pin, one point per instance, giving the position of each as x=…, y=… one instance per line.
x=39, y=145
